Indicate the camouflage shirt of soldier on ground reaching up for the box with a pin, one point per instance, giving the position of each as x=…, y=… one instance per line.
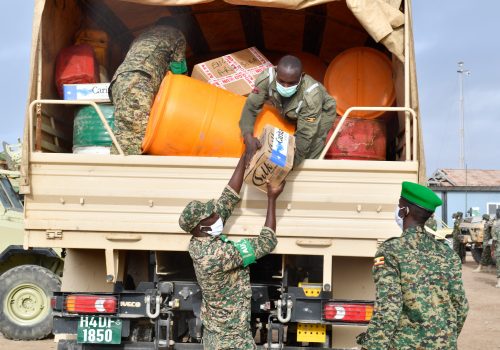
x=225, y=283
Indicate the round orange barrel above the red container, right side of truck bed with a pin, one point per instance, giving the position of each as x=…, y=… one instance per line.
x=360, y=77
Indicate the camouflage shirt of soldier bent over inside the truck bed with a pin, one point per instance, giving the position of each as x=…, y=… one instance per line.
x=152, y=51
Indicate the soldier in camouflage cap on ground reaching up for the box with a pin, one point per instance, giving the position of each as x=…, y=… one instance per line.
x=221, y=265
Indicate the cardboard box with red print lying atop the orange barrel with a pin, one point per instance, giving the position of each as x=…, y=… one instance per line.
x=235, y=72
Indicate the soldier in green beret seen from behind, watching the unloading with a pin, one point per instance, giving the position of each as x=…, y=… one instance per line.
x=420, y=299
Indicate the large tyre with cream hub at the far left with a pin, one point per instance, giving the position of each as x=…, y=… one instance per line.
x=25, y=293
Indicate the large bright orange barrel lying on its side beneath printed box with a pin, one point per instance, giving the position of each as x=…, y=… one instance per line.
x=193, y=118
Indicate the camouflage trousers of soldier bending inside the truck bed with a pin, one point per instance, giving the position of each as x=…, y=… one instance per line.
x=132, y=94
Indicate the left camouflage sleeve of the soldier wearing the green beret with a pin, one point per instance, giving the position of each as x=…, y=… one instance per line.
x=388, y=304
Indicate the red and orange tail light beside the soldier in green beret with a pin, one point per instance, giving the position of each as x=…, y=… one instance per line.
x=347, y=312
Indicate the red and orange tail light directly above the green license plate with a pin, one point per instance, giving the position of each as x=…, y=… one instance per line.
x=91, y=304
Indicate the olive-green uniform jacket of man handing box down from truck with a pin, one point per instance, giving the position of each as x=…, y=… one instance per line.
x=311, y=108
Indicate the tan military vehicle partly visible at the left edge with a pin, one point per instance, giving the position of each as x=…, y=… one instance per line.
x=27, y=277
